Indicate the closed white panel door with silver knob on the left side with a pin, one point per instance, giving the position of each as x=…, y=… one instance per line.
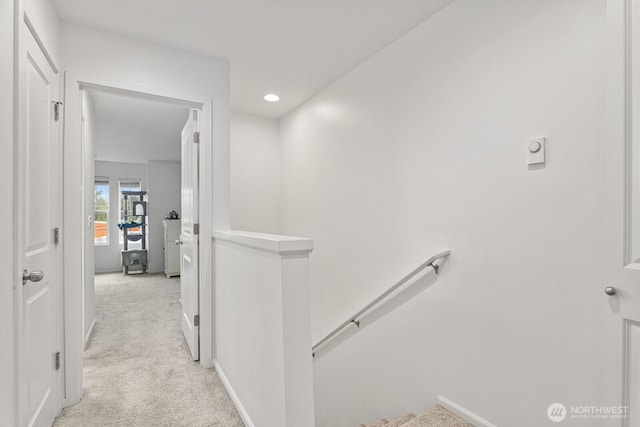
x=38, y=215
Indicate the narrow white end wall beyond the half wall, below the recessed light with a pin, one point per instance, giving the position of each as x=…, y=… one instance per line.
x=255, y=173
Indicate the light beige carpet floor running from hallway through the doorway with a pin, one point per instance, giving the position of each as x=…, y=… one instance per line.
x=137, y=371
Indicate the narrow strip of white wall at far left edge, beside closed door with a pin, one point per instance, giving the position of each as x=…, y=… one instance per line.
x=8, y=402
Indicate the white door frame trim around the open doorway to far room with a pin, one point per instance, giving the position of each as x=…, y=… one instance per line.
x=75, y=218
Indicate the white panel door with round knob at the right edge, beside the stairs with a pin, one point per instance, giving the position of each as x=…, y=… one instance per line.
x=622, y=255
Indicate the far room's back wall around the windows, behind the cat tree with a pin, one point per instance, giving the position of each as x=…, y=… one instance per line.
x=107, y=257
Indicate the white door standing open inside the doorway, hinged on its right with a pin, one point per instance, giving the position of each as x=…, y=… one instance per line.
x=189, y=288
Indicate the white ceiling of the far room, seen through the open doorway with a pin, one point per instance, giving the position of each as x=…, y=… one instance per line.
x=135, y=130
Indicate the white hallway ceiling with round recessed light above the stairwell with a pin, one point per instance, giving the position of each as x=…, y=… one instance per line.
x=290, y=47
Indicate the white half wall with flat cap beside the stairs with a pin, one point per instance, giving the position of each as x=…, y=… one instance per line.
x=263, y=327
